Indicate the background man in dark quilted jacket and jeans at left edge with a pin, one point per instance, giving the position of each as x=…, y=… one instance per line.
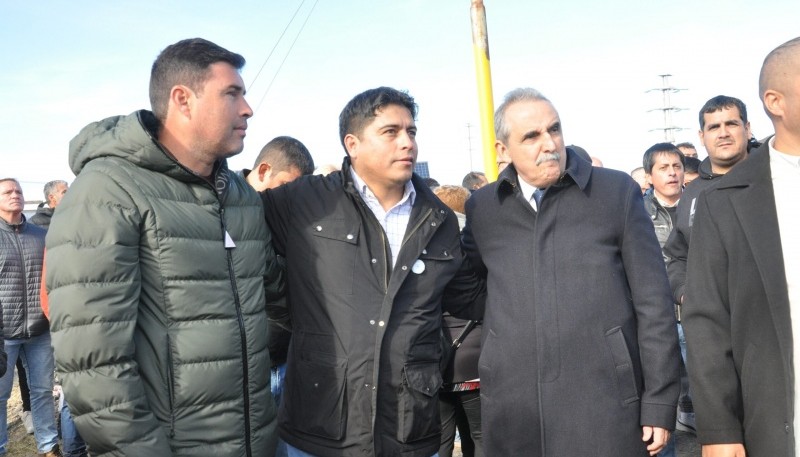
x=25, y=328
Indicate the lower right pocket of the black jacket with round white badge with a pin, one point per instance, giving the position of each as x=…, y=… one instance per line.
x=418, y=402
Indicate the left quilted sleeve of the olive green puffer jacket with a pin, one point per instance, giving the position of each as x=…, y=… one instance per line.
x=93, y=280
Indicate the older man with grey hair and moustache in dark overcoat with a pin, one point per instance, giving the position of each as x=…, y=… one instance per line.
x=580, y=352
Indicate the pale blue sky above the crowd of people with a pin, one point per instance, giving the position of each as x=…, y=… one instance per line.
x=67, y=64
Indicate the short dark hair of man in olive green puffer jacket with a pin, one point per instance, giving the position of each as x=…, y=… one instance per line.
x=186, y=62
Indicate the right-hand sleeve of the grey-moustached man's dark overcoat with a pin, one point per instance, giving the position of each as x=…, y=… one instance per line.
x=655, y=318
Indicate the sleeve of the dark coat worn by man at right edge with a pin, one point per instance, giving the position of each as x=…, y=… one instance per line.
x=716, y=389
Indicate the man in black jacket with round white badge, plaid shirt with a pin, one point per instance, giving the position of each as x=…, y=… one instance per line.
x=369, y=253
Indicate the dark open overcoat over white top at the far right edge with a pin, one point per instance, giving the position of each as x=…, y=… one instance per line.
x=736, y=315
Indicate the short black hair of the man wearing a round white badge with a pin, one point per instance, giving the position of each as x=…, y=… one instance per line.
x=365, y=106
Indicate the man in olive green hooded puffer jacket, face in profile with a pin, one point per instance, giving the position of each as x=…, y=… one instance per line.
x=159, y=270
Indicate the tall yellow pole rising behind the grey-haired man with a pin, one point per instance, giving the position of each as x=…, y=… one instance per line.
x=480, y=47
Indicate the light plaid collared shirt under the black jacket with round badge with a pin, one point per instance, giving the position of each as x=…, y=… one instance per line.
x=394, y=221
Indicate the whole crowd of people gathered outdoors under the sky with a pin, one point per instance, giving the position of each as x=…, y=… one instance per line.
x=189, y=309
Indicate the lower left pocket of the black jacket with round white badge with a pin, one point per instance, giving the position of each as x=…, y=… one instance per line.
x=317, y=395
